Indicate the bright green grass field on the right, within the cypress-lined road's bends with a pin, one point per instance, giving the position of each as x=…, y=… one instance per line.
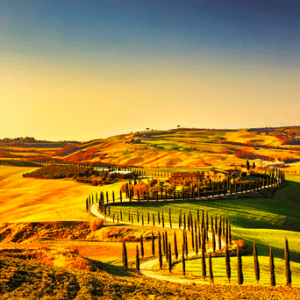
x=266, y=220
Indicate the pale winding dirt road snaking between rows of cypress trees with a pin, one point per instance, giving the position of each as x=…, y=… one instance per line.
x=146, y=268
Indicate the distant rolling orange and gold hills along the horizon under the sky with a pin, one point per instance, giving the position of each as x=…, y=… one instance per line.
x=176, y=148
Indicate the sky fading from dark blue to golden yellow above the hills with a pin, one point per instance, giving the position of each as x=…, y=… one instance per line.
x=88, y=69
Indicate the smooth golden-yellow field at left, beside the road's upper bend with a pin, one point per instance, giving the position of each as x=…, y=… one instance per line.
x=42, y=200
